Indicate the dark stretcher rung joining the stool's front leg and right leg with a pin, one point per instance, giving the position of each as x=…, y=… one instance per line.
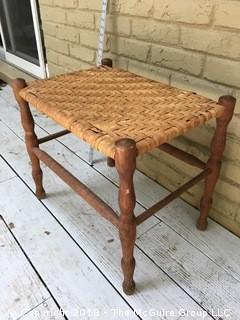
x=158, y=206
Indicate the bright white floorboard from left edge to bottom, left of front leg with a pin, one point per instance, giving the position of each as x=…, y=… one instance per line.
x=71, y=277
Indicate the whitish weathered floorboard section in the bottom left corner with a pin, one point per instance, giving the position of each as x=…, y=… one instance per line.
x=20, y=287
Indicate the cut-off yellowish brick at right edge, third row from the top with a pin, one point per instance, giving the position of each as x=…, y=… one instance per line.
x=223, y=71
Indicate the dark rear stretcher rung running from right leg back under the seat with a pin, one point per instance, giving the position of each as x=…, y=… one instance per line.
x=182, y=155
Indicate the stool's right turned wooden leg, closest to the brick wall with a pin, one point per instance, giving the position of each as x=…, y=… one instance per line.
x=215, y=160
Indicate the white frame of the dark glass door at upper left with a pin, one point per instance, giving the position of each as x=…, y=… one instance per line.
x=39, y=71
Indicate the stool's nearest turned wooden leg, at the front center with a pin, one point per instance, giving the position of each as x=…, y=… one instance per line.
x=125, y=159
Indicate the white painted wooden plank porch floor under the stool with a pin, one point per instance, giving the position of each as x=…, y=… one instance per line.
x=59, y=254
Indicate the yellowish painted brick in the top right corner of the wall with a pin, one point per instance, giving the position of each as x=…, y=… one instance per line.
x=228, y=14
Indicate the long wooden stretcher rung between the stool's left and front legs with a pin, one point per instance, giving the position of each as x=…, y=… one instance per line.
x=90, y=197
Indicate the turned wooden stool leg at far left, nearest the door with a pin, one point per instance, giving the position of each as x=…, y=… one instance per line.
x=30, y=136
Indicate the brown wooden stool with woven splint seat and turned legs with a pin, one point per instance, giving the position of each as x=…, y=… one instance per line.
x=123, y=115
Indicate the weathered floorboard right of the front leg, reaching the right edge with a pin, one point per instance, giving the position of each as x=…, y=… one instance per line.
x=205, y=281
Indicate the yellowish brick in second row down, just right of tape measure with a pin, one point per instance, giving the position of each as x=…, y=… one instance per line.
x=155, y=31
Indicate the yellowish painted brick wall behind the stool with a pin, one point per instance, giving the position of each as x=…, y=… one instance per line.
x=191, y=44
